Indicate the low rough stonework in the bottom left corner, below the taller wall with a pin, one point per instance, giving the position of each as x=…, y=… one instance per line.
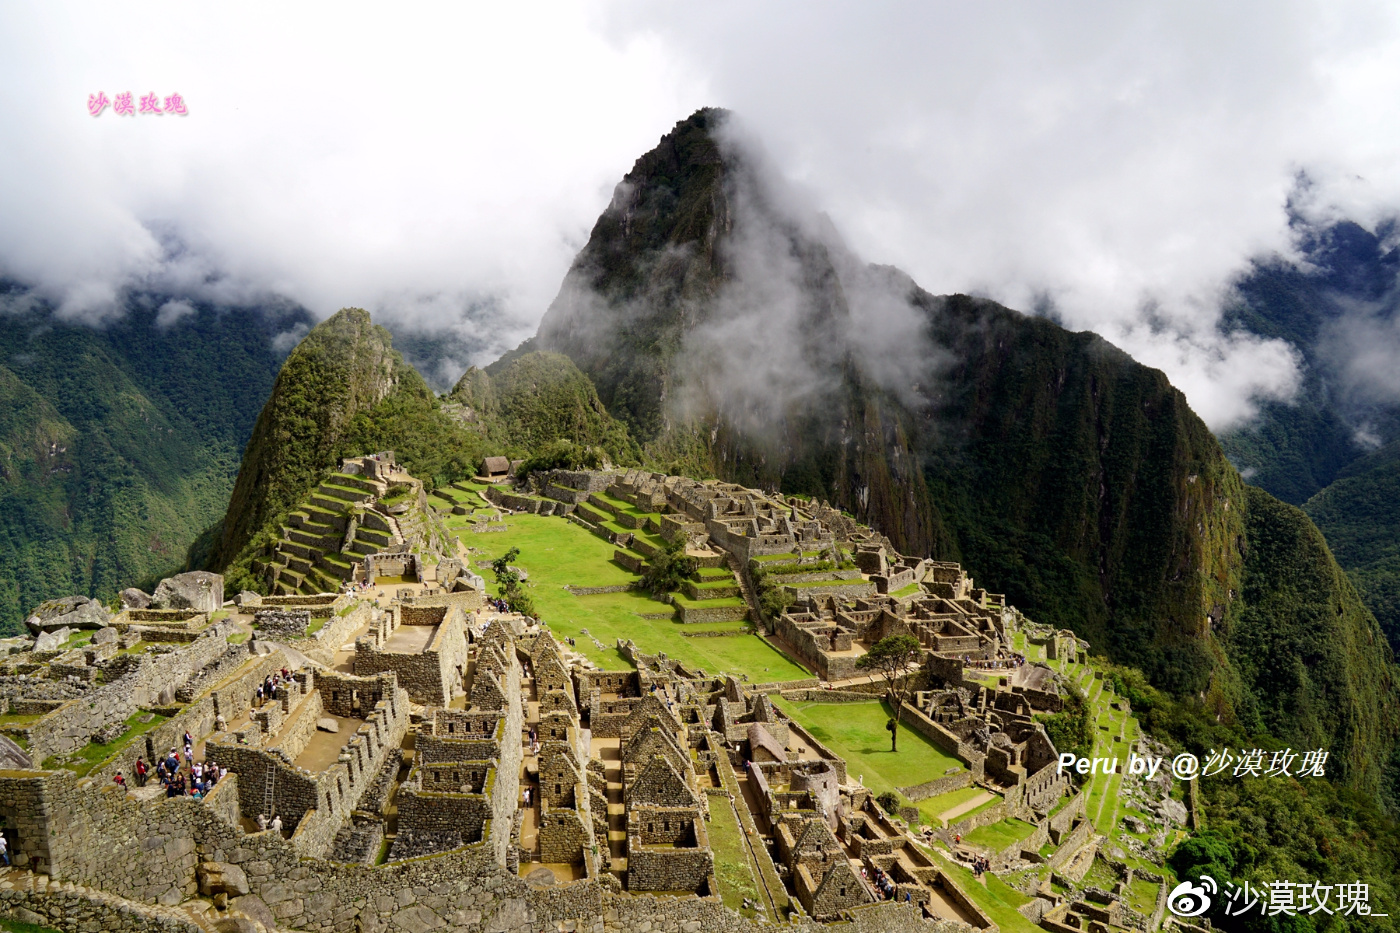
x=36, y=899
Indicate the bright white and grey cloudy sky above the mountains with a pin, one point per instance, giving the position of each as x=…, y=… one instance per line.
x=1109, y=166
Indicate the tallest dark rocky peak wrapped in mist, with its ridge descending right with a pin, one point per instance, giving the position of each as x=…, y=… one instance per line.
x=737, y=336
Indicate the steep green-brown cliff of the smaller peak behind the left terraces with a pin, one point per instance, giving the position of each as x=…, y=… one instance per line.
x=344, y=368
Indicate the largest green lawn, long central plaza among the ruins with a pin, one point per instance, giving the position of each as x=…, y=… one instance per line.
x=558, y=553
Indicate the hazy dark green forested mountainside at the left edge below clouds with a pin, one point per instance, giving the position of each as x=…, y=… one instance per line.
x=120, y=445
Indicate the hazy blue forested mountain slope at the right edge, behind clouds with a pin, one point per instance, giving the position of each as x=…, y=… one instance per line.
x=1332, y=449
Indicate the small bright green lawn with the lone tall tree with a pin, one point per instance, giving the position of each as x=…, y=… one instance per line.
x=856, y=732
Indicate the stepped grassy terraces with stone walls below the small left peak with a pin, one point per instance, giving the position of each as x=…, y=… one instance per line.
x=328, y=533
